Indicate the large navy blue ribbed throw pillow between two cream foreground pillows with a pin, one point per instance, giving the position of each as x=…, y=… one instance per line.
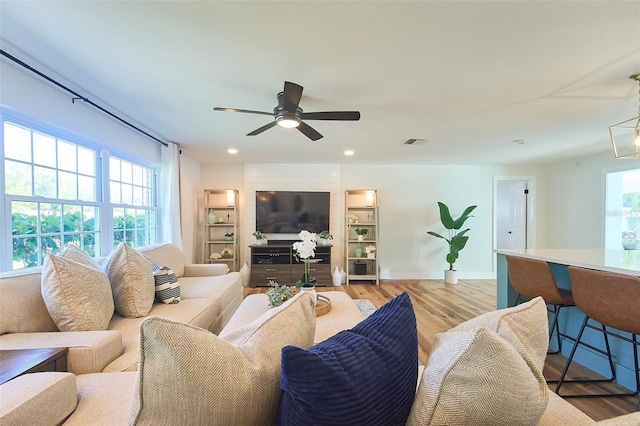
x=363, y=376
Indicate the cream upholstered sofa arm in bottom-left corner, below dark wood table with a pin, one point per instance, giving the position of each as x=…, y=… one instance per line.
x=38, y=399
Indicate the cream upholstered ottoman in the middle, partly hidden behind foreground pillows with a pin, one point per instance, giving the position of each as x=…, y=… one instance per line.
x=343, y=315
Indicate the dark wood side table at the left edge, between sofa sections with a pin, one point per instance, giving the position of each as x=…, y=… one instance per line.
x=15, y=362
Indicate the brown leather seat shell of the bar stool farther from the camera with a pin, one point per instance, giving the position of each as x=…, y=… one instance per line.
x=533, y=278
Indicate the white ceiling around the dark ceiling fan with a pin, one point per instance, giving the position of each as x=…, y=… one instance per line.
x=470, y=77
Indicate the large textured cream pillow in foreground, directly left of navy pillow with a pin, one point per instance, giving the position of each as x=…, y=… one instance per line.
x=187, y=375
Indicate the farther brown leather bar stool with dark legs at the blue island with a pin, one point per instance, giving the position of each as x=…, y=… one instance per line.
x=532, y=278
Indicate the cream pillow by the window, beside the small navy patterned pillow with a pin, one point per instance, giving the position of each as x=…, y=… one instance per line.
x=131, y=280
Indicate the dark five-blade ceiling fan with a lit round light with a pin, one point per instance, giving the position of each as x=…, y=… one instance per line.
x=289, y=115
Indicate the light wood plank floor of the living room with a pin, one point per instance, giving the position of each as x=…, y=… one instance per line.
x=439, y=307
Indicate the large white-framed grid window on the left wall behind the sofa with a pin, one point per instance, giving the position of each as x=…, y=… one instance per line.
x=54, y=196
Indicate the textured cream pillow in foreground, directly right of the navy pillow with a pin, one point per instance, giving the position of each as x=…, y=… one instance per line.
x=477, y=378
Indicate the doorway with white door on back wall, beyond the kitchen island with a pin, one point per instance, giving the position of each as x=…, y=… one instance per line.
x=513, y=213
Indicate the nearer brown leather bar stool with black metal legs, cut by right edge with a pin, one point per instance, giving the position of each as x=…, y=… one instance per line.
x=612, y=300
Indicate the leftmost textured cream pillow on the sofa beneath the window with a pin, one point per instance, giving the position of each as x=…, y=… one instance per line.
x=78, y=297
